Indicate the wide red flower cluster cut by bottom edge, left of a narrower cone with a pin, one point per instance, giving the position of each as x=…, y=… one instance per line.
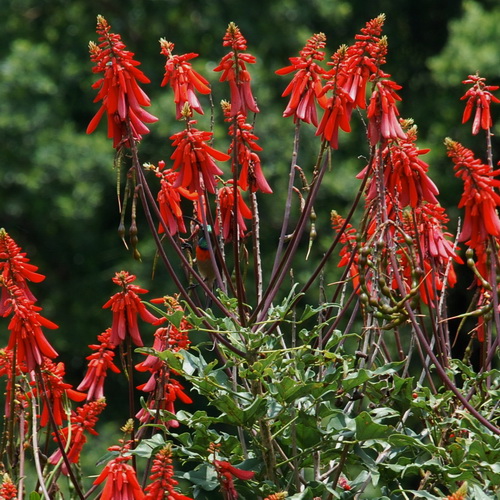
x=121, y=480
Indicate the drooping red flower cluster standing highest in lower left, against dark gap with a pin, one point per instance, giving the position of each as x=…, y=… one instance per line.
x=126, y=305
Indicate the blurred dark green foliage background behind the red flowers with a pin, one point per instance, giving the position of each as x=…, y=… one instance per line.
x=57, y=185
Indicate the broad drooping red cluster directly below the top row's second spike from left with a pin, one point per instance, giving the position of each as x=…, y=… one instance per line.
x=195, y=160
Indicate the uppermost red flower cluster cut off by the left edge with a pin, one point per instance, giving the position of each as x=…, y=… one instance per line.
x=16, y=269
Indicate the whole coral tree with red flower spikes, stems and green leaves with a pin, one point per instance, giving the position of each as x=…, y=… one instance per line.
x=253, y=389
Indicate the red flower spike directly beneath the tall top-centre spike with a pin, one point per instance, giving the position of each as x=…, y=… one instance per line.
x=251, y=176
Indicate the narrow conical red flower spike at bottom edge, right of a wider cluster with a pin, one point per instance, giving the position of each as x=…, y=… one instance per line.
x=162, y=476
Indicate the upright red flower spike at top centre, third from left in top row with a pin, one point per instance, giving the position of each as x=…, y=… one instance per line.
x=234, y=71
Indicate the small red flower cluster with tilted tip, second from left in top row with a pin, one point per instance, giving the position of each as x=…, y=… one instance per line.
x=183, y=79
